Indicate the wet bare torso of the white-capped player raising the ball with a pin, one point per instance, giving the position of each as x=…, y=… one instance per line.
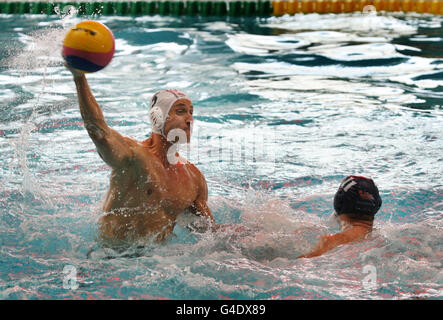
x=145, y=198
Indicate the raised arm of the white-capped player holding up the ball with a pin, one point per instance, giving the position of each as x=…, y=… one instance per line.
x=112, y=147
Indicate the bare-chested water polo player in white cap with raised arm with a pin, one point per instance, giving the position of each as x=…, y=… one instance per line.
x=150, y=186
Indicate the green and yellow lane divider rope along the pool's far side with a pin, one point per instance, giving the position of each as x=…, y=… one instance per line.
x=221, y=8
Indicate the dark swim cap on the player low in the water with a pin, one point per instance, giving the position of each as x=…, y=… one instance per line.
x=358, y=197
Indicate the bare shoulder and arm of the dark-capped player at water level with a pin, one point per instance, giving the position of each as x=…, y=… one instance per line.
x=330, y=242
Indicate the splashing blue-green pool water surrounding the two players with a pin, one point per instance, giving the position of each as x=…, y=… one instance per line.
x=308, y=99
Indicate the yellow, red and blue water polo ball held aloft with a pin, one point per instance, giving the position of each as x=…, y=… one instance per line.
x=88, y=46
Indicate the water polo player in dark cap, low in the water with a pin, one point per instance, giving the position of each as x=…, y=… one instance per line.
x=356, y=203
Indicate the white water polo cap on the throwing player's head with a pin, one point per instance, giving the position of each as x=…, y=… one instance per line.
x=161, y=103
